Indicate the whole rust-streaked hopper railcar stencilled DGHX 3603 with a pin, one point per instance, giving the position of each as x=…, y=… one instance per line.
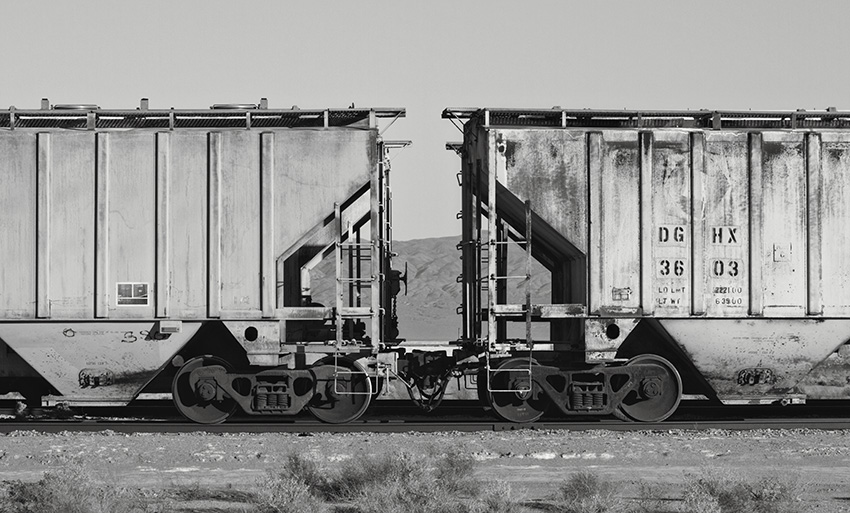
x=697, y=253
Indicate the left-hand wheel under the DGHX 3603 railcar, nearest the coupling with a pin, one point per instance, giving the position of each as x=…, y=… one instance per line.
x=512, y=393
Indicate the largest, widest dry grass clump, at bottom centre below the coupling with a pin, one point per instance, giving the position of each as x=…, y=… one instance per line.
x=393, y=483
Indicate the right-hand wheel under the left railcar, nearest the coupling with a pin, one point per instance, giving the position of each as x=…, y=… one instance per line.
x=343, y=391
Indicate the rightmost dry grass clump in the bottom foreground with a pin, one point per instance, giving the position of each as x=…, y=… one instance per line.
x=714, y=492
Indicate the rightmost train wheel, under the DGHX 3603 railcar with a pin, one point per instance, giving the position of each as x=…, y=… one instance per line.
x=656, y=398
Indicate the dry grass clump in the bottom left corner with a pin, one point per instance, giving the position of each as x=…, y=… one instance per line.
x=71, y=489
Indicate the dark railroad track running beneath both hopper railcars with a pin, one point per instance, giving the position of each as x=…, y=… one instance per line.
x=395, y=418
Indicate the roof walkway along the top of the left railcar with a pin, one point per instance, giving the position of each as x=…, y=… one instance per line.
x=219, y=116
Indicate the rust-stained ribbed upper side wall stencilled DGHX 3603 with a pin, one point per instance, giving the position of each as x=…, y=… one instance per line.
x=680, y=222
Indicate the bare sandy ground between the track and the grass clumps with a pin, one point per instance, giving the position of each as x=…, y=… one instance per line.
x=533, y=462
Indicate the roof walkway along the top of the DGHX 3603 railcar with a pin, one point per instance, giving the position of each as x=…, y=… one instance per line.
x=711, y=119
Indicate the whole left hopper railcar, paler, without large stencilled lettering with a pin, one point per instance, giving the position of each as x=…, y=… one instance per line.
x=170, y=250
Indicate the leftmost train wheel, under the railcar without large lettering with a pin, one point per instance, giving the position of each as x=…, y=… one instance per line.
x=197, y=401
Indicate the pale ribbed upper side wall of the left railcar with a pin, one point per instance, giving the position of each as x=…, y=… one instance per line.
x=136, y=224
